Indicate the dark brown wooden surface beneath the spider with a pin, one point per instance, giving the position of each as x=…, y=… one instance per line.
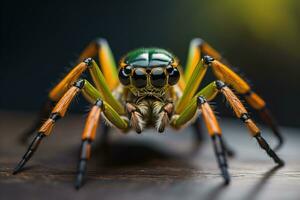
x=146, y=166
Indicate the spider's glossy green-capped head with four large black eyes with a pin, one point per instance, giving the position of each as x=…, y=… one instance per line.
x=149, y=70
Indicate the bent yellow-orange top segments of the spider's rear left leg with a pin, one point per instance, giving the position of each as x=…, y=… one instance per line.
x=106, y=59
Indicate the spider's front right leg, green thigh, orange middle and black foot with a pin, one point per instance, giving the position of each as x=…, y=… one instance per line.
x=213, y=128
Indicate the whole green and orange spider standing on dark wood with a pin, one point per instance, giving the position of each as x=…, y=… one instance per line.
x=152, y=90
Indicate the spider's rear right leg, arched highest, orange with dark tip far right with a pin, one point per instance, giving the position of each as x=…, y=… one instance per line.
x=199, y=48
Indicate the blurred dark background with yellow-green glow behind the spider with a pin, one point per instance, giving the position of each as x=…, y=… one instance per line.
x=41, y=40
